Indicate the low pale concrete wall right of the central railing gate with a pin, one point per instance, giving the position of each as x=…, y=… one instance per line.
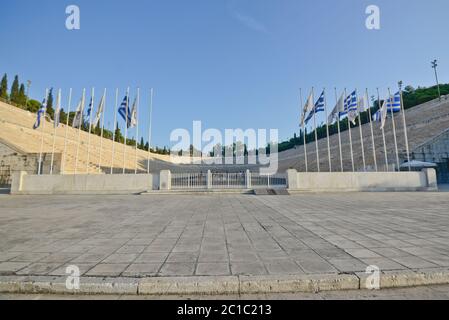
x=362, y=181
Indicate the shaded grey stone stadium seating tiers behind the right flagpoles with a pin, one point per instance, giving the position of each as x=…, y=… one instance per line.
x=423, y=123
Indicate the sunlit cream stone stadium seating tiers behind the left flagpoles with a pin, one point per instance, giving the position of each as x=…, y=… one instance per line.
x=16, y=127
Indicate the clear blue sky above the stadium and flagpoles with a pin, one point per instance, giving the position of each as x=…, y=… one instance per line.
x=228, y=63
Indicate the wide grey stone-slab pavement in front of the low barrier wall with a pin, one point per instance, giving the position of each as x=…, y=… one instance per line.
x=219, y=235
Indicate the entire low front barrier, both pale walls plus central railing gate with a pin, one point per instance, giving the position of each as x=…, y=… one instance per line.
x=22, y=183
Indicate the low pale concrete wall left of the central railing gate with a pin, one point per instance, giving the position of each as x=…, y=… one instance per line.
x=22, y=183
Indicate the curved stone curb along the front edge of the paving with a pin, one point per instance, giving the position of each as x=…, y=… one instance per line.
x=226, y=285
